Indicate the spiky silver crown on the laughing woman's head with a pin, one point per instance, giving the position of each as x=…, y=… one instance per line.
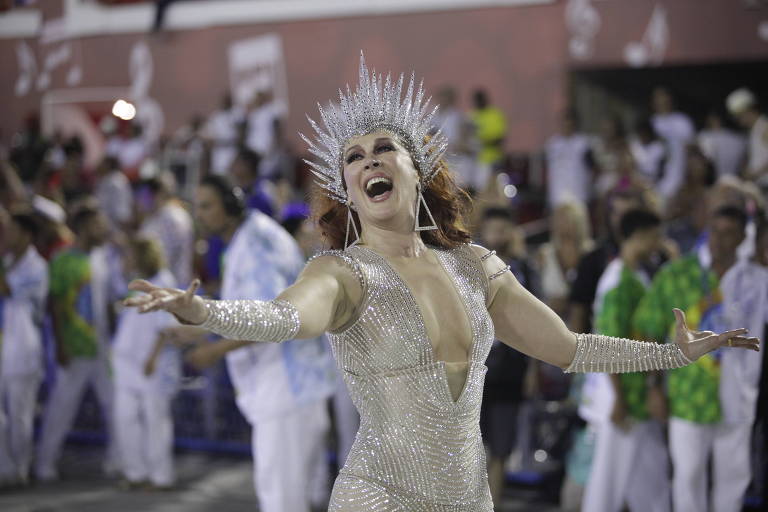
x=374, y=107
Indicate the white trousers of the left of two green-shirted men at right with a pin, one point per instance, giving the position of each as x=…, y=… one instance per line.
x=629, y=467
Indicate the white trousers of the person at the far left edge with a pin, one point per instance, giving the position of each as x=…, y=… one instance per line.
x=18, y=397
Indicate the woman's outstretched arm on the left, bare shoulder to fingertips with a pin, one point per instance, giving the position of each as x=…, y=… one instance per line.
x=321, y=299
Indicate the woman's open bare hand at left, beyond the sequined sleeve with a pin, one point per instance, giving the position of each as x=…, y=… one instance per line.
x=185, y=305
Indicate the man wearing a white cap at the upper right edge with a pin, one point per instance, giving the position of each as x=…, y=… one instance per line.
x=742, y=105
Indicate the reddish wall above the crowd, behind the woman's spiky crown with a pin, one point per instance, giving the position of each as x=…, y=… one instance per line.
x=517, y=53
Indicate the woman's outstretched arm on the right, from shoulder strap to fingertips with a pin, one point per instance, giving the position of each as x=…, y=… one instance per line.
x=526, y=324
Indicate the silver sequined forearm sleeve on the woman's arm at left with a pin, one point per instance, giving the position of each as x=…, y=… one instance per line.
x=252, y=320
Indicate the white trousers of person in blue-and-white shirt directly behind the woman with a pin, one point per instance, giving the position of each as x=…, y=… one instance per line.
x=286, y=451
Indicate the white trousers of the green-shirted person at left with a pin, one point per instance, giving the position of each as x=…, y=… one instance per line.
x=62, y=406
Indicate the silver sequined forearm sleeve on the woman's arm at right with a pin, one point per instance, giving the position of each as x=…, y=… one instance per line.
x=598, y=353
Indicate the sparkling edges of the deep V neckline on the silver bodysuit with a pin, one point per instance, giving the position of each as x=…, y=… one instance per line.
x=426, y=341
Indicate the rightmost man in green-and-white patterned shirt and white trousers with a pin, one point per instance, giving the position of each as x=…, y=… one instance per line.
x=712, y=401
